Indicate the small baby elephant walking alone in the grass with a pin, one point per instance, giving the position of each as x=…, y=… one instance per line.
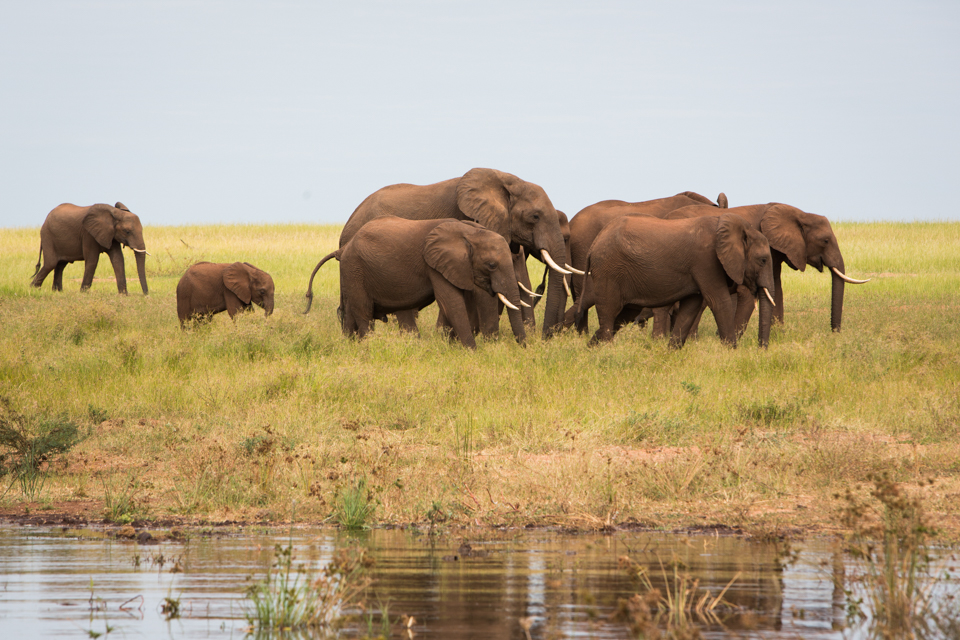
x=208, y=288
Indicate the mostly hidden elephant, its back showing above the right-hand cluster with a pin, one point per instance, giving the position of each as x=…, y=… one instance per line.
x=589, y=221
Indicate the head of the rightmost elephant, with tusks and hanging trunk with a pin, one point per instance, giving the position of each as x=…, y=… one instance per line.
x=807, y=238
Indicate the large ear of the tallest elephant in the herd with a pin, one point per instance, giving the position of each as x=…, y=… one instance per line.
x=484, y=195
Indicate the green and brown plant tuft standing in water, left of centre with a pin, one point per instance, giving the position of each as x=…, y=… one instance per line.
x=296, y=598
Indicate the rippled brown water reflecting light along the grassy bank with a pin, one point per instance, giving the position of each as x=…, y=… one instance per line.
x=69, y=583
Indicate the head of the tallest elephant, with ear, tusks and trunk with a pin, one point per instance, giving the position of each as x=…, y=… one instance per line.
x=522, y=213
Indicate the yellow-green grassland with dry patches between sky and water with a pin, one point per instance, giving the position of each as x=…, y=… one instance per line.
x=235, y=420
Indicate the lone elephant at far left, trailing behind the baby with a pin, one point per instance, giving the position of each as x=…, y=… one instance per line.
x=72, y=233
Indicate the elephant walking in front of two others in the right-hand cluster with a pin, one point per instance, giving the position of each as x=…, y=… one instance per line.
x=641, y=261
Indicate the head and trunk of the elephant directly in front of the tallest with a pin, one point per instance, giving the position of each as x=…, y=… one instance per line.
x=469, y=255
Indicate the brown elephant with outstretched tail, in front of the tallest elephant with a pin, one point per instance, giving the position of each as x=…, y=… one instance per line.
x=394, y=264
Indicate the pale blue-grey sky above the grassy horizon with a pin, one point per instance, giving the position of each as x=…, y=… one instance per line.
x=204, y=111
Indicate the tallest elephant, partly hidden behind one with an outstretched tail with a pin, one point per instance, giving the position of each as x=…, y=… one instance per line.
x=519, y=211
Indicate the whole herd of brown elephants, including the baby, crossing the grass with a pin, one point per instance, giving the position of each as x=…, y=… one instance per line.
x=464, y=243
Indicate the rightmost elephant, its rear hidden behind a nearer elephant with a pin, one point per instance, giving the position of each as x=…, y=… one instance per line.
x=797, y=239
